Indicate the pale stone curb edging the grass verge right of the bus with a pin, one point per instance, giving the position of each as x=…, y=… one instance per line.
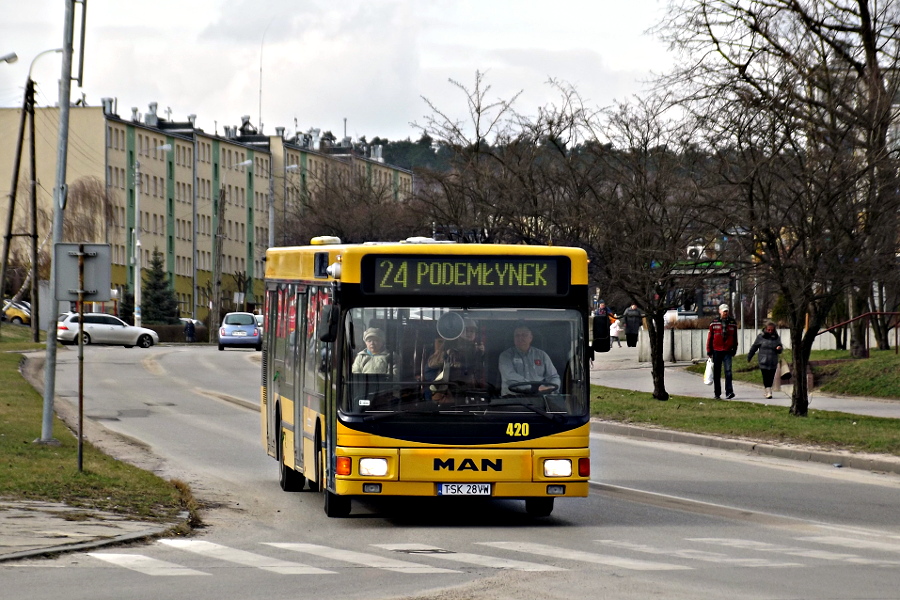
x=868, y=462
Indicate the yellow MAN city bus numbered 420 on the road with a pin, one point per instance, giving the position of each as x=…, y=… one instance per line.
x=451, y=401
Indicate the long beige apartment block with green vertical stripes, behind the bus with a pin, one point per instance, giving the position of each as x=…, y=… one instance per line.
x=177, y=190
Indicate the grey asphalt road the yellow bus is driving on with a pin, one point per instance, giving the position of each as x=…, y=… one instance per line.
x=663, y=520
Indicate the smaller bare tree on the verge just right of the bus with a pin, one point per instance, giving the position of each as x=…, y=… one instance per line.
x=644, y=212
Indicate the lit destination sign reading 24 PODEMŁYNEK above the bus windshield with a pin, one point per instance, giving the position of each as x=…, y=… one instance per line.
x=460, y=275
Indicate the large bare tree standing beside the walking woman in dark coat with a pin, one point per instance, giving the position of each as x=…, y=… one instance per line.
x=796, y=97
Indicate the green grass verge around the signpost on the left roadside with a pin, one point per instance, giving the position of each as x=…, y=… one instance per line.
x=30, y=471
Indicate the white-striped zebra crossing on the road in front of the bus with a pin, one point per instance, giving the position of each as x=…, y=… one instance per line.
x=291, y=558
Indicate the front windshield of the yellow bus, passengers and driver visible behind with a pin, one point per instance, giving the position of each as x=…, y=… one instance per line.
x=448, y=360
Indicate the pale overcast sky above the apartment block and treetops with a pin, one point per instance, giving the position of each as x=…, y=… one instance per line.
x=370, y=62
